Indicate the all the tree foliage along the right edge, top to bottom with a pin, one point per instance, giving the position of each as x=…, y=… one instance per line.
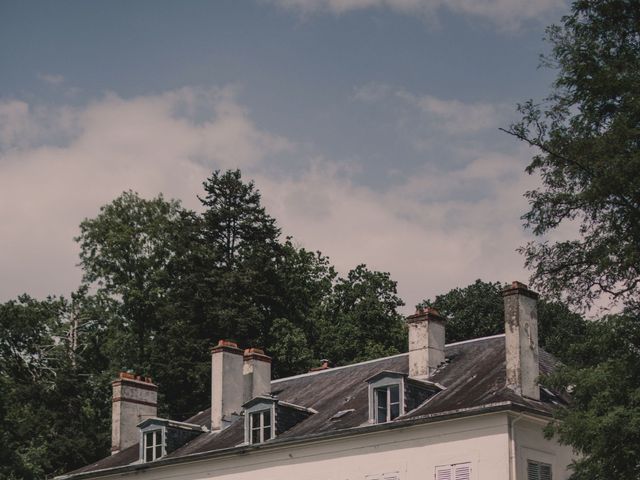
x=587, y=133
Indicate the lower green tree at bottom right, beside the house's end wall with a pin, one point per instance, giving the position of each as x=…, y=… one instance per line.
x=602, y=423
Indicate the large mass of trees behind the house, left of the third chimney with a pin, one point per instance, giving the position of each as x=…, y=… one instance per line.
x=166, y=284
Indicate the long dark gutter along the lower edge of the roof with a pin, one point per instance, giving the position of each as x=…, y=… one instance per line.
x=317, y=437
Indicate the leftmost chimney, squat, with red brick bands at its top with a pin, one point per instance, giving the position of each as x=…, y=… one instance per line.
x=135, y=399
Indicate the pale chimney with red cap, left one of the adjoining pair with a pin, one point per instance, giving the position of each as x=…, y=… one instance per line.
x=227, y=384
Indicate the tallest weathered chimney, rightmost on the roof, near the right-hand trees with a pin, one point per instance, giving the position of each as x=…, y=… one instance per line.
x=521, y=339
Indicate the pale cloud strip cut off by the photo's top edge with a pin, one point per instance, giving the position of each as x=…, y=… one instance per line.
x=506, y=14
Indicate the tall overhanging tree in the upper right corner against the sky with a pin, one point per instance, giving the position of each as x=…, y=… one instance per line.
x=588, y=135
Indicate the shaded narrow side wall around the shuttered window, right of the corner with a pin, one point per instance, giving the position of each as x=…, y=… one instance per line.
x=531, y=444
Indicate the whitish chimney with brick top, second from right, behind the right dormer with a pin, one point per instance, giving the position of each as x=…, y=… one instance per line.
x=426, y=342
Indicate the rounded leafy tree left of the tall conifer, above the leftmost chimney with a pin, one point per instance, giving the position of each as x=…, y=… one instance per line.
x=125, y=252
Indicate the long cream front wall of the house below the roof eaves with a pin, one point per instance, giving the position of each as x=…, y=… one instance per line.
x=412, y=453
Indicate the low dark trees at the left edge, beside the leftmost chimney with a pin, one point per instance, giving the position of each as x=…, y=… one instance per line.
x=53, y=406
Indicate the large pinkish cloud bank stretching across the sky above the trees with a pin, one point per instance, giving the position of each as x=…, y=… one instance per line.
x=437, y=229
